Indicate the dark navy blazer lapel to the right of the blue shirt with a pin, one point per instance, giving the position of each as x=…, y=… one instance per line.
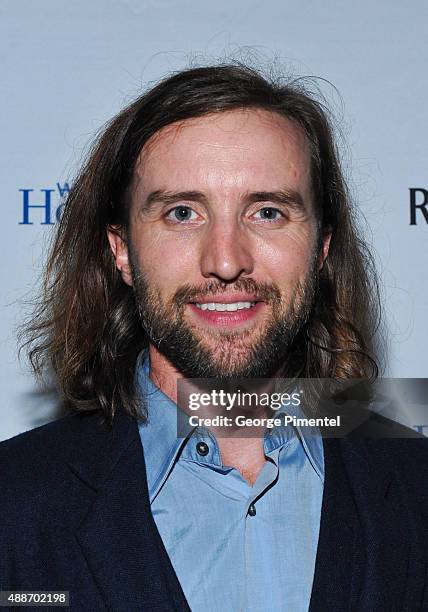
x=363, y=551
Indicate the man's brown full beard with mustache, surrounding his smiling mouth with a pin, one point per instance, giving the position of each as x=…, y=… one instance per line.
x=225, y=354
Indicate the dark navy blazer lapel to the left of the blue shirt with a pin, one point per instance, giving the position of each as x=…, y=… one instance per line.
x=118, y=536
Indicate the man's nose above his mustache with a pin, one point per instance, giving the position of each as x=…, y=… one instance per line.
x=226, y=253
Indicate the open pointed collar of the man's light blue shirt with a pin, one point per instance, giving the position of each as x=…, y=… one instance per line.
x=162, y=447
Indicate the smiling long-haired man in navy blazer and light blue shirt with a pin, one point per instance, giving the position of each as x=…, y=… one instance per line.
x=209, y=235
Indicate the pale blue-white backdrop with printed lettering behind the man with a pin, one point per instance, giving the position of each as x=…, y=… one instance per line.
x=69, y=65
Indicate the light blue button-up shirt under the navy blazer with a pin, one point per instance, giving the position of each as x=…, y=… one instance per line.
x=234, y=547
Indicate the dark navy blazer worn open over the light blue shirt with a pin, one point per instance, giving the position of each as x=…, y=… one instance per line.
x=75, y=515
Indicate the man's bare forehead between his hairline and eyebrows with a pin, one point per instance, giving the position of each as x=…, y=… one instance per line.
x=248, y=149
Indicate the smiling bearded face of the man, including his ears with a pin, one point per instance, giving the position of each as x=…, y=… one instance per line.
x=223, y=248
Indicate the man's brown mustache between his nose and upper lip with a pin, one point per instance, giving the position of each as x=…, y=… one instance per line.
x=264, y=291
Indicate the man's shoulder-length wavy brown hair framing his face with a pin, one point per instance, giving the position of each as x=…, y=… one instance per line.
x=86, y=325
